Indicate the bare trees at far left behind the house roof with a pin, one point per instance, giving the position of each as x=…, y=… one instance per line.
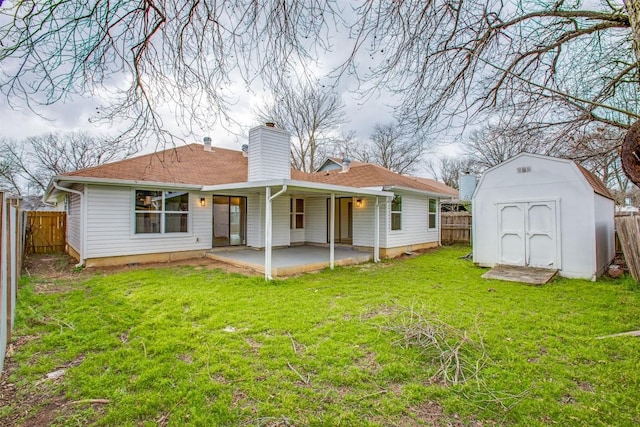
x=28, y=166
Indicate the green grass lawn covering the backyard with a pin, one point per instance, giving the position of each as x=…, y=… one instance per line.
x=364, y=345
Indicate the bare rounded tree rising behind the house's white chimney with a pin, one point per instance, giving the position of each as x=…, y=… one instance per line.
x=311, y=113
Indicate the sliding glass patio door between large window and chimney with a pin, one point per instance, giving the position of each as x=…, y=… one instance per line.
x=229, y=221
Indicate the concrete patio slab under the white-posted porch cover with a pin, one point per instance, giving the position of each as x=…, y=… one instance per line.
x=291, y=260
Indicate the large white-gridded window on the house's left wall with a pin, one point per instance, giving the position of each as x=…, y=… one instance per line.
x=161, y=212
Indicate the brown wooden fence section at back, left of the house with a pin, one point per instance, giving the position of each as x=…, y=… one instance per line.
x=45, y=232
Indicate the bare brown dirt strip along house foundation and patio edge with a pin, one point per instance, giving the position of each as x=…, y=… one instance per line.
x=56, y=268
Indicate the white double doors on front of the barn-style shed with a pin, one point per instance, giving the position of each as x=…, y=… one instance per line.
x=527, y=234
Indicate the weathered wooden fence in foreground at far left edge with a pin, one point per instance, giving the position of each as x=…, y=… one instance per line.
x=10, y=266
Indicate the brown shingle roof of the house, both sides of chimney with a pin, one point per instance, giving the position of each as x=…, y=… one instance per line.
x=191, y=164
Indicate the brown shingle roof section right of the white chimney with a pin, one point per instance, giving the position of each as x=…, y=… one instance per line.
x=371, y=175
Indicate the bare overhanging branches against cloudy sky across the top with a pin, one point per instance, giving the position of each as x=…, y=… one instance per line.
x=564, y=65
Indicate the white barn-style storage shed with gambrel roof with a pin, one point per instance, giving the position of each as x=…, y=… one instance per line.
x=541, y=211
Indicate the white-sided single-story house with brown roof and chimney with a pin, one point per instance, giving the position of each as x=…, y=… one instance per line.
x=186, y=201
